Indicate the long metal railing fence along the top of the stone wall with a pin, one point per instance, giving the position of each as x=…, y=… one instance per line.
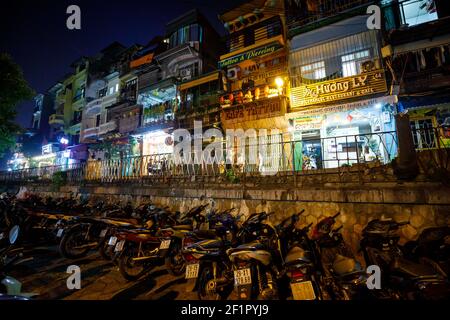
x=281, y=158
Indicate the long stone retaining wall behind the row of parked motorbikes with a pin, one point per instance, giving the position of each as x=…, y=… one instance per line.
x=423, y=205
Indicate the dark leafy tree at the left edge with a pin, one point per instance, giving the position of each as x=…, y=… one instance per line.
x=13, y=90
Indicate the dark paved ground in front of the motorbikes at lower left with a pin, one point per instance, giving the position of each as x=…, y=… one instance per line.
x=100, y=280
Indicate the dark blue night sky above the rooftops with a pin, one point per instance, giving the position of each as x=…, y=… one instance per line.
x=35, y=33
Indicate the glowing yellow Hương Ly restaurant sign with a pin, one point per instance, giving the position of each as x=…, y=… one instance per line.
x=339, y=89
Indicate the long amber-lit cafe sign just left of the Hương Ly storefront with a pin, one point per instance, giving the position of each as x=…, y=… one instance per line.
x=253, y=111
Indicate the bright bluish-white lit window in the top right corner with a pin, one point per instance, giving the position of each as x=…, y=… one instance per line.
x=415, y=12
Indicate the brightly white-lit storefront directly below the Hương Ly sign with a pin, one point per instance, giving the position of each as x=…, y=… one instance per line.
x=340, y=135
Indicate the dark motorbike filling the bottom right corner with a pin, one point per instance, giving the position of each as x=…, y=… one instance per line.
x=401, y=278
